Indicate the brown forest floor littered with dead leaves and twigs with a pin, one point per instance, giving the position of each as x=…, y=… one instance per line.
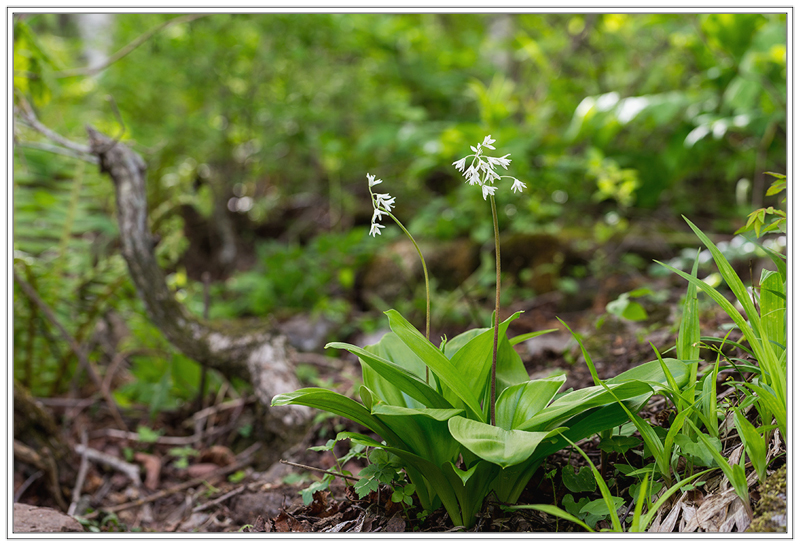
x=198, y=473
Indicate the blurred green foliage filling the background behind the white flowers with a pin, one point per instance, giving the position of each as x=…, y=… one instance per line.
x=269, y=123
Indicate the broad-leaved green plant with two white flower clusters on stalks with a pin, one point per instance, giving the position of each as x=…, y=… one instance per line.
x=464, y=418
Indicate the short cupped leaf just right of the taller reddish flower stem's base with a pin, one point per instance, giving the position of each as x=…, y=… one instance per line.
x=518, y=403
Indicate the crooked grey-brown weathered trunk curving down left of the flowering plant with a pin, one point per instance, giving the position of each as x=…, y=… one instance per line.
x=249, y=351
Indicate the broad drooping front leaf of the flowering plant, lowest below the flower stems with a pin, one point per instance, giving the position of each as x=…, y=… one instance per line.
x=499, y=446
